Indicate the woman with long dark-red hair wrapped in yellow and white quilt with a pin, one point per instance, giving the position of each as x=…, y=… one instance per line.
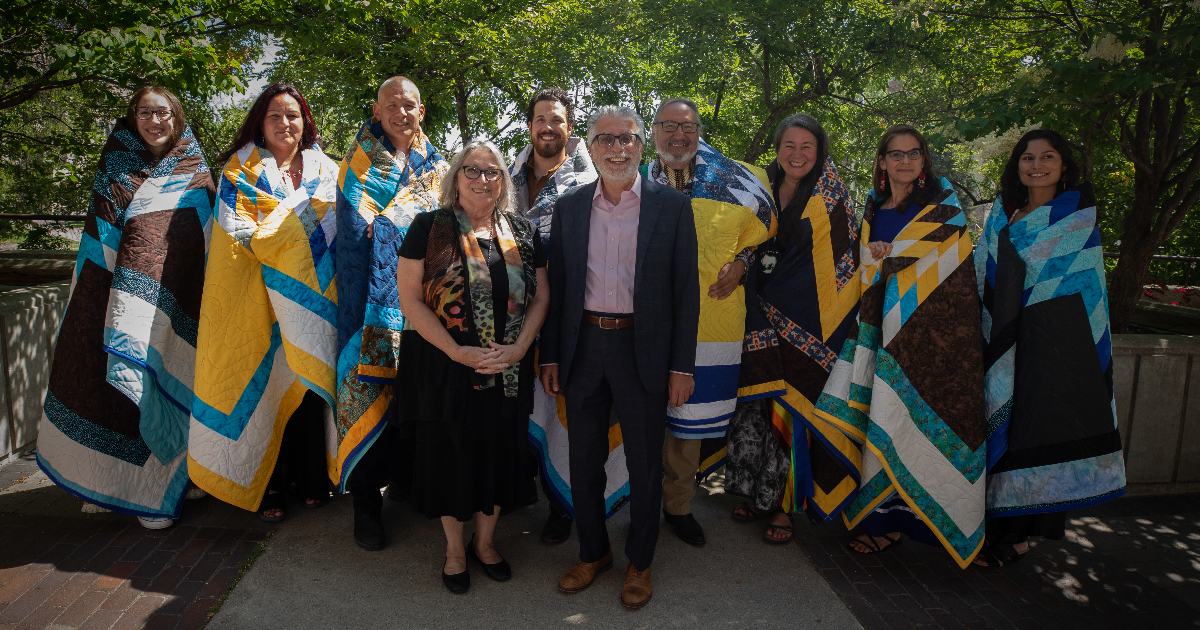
x=269, y=296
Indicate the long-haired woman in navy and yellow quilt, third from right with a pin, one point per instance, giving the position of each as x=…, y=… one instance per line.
x=796, y=329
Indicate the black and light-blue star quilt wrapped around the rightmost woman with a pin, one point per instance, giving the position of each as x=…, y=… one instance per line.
x=1053, y=437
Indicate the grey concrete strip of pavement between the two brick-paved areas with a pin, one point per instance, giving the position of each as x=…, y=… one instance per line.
x=314, y=577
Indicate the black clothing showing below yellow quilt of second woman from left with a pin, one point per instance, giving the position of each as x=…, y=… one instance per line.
x=303, y=452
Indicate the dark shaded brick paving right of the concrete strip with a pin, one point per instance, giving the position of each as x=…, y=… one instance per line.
x=1130, y=563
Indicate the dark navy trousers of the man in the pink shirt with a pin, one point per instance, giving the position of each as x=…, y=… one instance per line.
x=604, y=375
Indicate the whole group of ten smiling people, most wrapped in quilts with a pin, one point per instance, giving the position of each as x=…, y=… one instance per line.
x=459, y=331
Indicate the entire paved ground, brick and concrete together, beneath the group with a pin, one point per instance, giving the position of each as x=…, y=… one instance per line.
x=1131, y=563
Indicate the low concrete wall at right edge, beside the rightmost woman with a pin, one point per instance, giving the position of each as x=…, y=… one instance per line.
x=1157, y=387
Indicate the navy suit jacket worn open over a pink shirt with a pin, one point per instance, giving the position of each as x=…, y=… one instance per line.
x=667, y=284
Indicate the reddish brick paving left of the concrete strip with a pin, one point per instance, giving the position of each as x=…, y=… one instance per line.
x=63, y=569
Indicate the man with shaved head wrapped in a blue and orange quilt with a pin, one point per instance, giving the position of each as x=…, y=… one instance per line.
x=391, y=175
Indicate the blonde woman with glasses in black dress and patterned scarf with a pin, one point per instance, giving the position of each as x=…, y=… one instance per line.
x=472, y=285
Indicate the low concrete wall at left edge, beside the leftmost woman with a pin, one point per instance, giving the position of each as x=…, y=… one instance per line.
x=29, y=325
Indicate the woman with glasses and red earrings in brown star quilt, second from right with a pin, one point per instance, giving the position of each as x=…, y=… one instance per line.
x=908, y=386
